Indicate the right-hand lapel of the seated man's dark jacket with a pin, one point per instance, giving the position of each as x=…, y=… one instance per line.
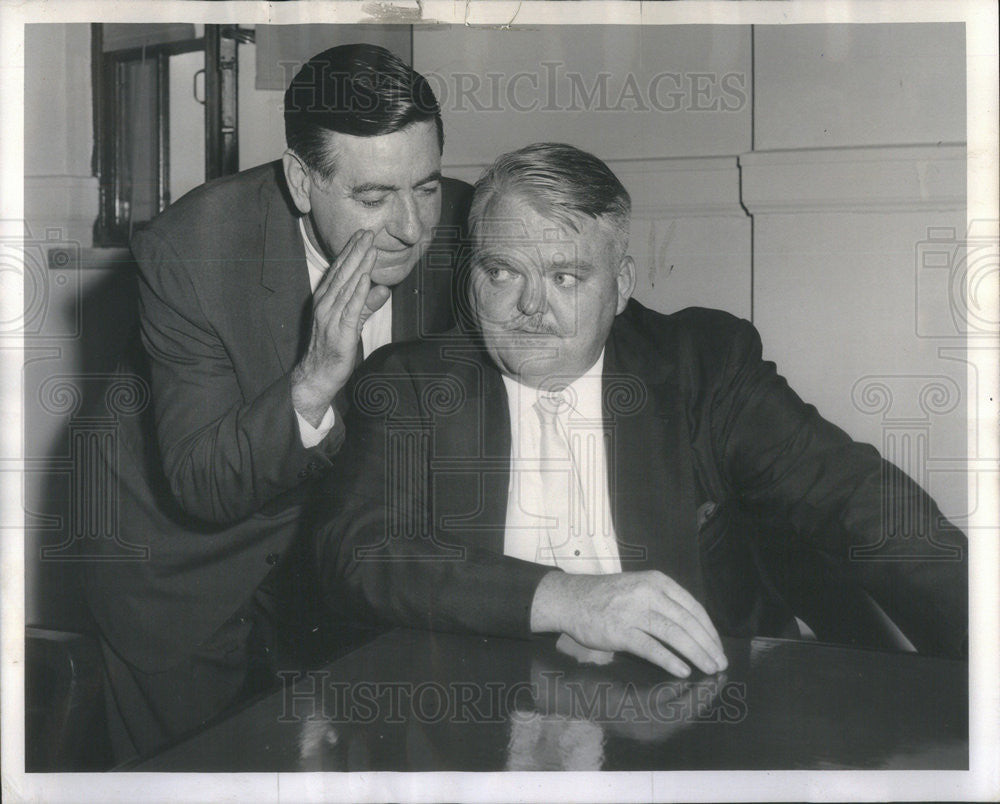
x=649, y=461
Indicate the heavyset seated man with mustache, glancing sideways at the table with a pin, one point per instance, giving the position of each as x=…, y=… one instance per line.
x=547, y=473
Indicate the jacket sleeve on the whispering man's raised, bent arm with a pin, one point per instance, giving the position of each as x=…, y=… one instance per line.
x=224, y=456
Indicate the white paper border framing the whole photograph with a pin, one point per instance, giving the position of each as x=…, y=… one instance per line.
x=980, y=782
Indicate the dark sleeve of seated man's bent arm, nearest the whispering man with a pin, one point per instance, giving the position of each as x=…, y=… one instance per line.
x=379, y=551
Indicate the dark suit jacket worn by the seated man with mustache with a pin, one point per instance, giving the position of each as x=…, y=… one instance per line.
x=693, y=414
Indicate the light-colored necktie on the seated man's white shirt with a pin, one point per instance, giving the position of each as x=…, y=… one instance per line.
x=567, y=540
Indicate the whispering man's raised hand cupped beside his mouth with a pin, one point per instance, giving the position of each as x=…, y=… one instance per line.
x=342, y=302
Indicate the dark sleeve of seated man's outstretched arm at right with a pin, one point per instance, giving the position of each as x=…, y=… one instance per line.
x=777, y=451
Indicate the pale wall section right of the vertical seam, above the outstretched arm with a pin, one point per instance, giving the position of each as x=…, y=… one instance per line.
x=857, y=174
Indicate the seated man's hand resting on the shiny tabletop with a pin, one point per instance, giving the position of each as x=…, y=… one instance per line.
x=644, y=613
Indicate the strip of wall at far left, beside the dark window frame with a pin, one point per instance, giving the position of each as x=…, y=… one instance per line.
x=72, y=313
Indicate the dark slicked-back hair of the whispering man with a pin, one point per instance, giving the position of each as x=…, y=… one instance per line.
x=359, y=89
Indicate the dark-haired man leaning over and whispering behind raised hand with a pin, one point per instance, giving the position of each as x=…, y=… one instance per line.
x=259, y=294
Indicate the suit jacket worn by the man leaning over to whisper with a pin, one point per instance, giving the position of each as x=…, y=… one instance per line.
x=211, y=476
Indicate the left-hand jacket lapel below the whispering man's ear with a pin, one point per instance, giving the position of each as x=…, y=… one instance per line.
x=285, y=280
